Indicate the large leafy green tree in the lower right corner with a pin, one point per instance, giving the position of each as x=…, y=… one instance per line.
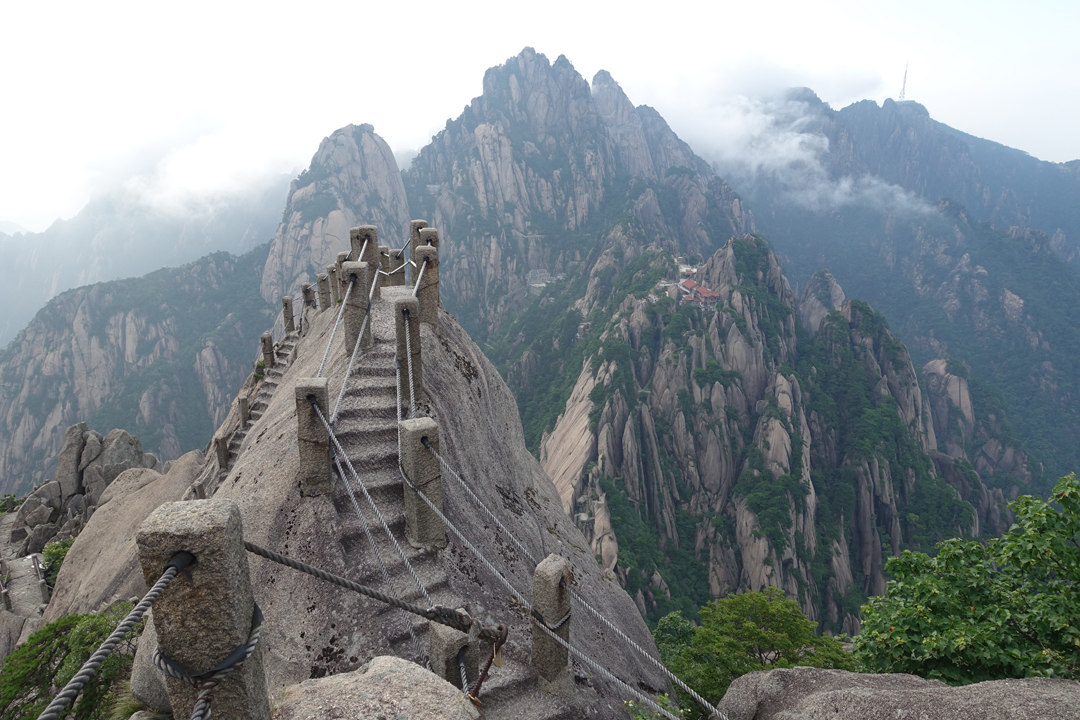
x=1005, y=609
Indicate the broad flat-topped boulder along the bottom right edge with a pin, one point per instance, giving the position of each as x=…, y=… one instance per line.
x=807, y=694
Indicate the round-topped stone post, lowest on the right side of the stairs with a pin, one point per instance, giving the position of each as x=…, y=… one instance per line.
x=551, y=599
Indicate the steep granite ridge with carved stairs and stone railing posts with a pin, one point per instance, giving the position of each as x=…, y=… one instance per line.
x=398, y=343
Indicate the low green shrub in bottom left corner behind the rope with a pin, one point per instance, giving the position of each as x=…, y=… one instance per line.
x=50, y=659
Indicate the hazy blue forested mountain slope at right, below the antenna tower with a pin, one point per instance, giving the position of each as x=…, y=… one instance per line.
x=955, y=259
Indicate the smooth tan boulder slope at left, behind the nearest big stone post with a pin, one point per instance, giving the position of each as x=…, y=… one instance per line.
x=102, y=566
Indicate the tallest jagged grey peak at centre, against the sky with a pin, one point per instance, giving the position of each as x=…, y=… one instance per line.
x=538, y=168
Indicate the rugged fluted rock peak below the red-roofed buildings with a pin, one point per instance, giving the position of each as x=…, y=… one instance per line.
x=748, y=452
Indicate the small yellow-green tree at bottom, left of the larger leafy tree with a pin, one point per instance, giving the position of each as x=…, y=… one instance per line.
x=741, y=634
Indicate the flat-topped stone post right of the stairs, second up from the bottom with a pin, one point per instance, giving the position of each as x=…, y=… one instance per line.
x=424, y=528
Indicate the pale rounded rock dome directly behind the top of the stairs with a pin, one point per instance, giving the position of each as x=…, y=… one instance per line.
x=354, y=180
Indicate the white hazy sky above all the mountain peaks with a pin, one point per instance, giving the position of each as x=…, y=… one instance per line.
x=198, y=98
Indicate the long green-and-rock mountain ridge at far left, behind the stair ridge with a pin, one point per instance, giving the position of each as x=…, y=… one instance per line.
x=161, y=355
